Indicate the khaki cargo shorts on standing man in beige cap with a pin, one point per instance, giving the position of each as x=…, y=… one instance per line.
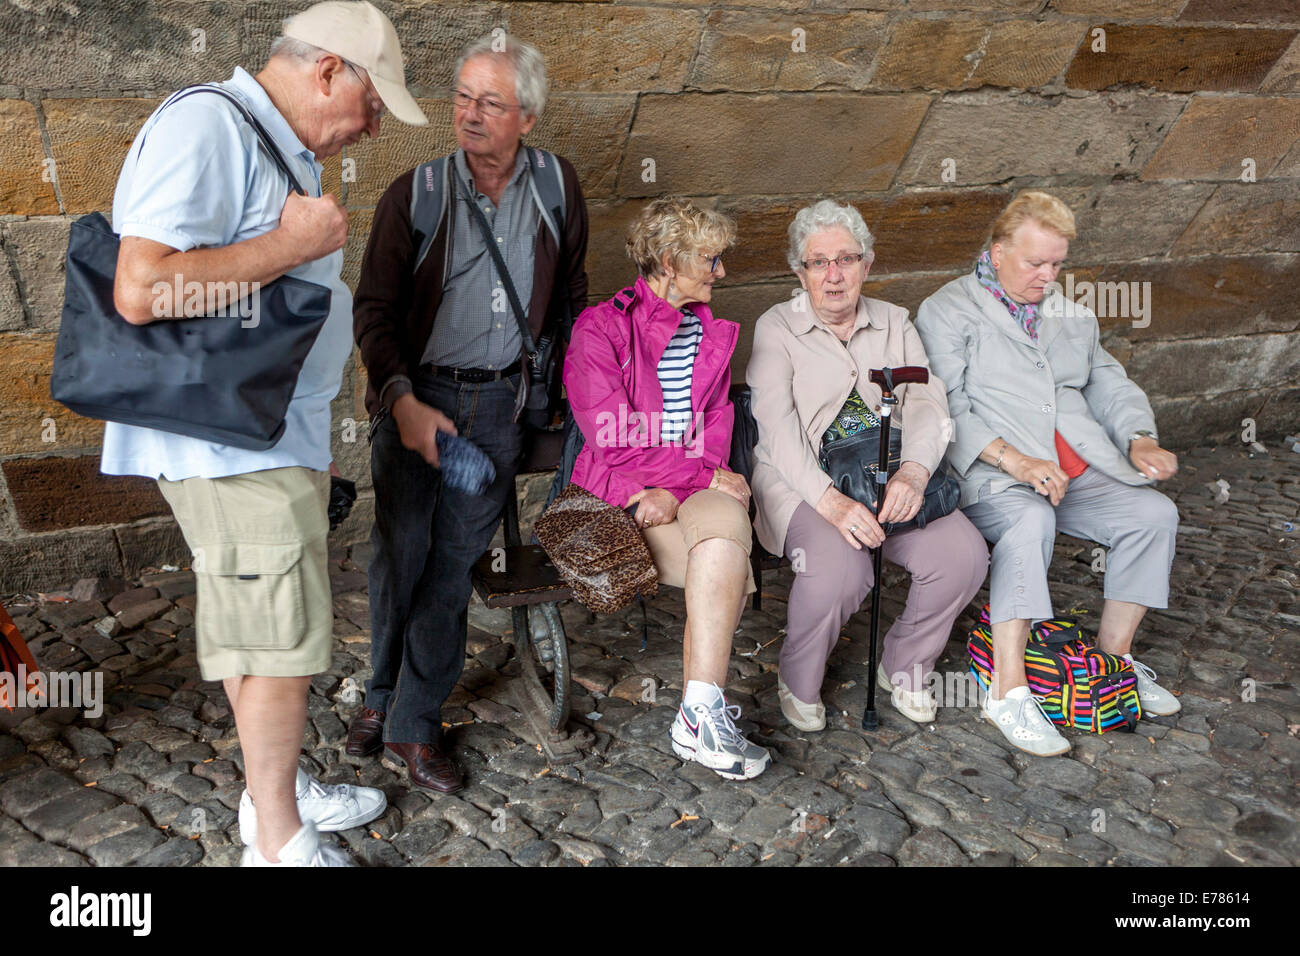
x=265, y=604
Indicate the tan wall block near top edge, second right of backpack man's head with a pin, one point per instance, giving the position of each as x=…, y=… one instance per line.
x=743, y=50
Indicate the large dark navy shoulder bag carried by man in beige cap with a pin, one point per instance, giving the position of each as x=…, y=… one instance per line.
x=216, y=378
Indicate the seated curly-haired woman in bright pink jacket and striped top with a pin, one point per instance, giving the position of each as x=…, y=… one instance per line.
x=648, y=375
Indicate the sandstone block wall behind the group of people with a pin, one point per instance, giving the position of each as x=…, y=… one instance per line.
x=1171, y=127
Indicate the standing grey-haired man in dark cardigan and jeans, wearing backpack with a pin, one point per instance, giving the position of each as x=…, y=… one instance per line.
x=474, y=269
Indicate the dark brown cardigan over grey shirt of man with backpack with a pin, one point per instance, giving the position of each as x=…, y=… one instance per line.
x=395, y=309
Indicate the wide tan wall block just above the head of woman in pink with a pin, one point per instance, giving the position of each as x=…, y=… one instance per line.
x=695, y=140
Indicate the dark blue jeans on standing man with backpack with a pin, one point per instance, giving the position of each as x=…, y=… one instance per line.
x=427, y=538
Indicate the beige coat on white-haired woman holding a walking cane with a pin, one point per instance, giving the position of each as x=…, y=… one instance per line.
x=801, y=375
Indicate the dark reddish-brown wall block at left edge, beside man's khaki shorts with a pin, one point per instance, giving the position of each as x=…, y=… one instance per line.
x=53, y=494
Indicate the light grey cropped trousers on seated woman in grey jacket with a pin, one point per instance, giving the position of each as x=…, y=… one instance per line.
x=1137, y=525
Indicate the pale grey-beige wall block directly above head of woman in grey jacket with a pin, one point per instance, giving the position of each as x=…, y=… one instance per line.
x=1085, y=137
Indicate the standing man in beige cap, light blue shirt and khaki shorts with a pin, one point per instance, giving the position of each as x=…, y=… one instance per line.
x=201, y=201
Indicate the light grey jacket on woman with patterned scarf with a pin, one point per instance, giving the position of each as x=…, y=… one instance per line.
x=1003, y=386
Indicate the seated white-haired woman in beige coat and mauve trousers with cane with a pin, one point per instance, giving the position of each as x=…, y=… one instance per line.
x=809, y=374
